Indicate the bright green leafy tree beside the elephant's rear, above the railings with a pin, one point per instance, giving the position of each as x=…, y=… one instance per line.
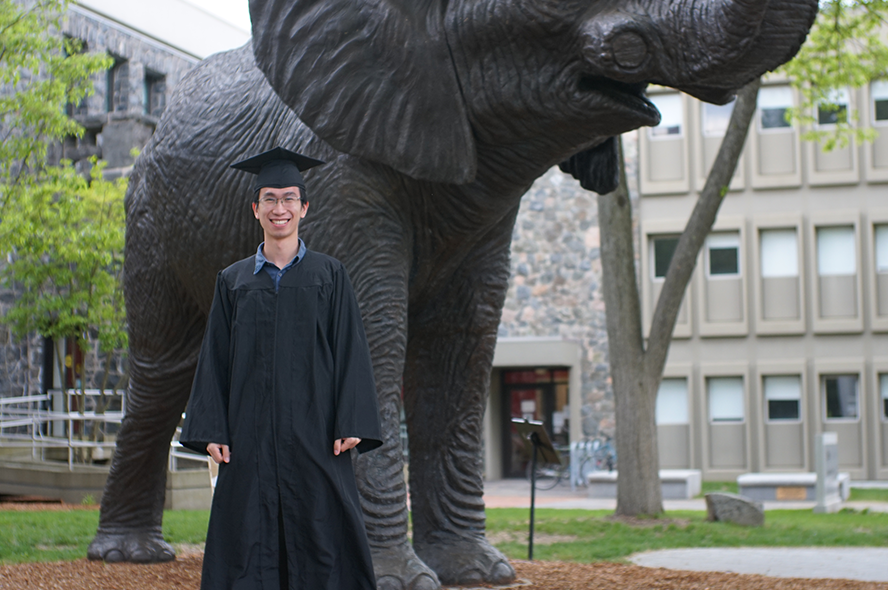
x=66, y=237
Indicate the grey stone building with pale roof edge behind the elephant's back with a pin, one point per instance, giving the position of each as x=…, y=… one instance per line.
x=150, y=57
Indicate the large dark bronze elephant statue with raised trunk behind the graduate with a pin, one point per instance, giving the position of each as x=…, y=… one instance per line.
x=433, y=118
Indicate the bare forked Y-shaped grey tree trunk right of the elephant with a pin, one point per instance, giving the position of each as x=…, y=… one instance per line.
x=636, y=371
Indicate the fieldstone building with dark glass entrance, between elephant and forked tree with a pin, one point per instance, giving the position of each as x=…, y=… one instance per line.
x=551, y=359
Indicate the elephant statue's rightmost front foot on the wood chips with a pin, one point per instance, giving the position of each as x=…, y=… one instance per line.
x=464, y=561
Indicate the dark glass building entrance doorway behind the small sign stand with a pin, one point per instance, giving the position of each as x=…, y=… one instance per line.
x=534, y=394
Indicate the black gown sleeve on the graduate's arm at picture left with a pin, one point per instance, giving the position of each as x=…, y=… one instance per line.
x=206, y=418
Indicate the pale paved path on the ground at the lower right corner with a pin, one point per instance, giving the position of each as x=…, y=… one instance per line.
x=867, y=564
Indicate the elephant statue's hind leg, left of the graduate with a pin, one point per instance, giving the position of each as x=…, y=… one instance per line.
x=163, y=353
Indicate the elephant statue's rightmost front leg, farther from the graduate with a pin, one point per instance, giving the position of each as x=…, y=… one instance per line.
x=450, y=353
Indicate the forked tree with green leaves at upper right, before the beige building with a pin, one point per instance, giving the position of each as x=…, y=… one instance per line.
x=844, y=49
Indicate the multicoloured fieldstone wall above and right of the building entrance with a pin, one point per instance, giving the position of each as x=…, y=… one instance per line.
x=555, y=286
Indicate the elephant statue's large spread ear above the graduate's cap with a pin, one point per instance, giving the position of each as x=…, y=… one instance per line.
x=373, y=78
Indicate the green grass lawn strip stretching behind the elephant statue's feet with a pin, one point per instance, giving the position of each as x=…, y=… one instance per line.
x=569, y=535
